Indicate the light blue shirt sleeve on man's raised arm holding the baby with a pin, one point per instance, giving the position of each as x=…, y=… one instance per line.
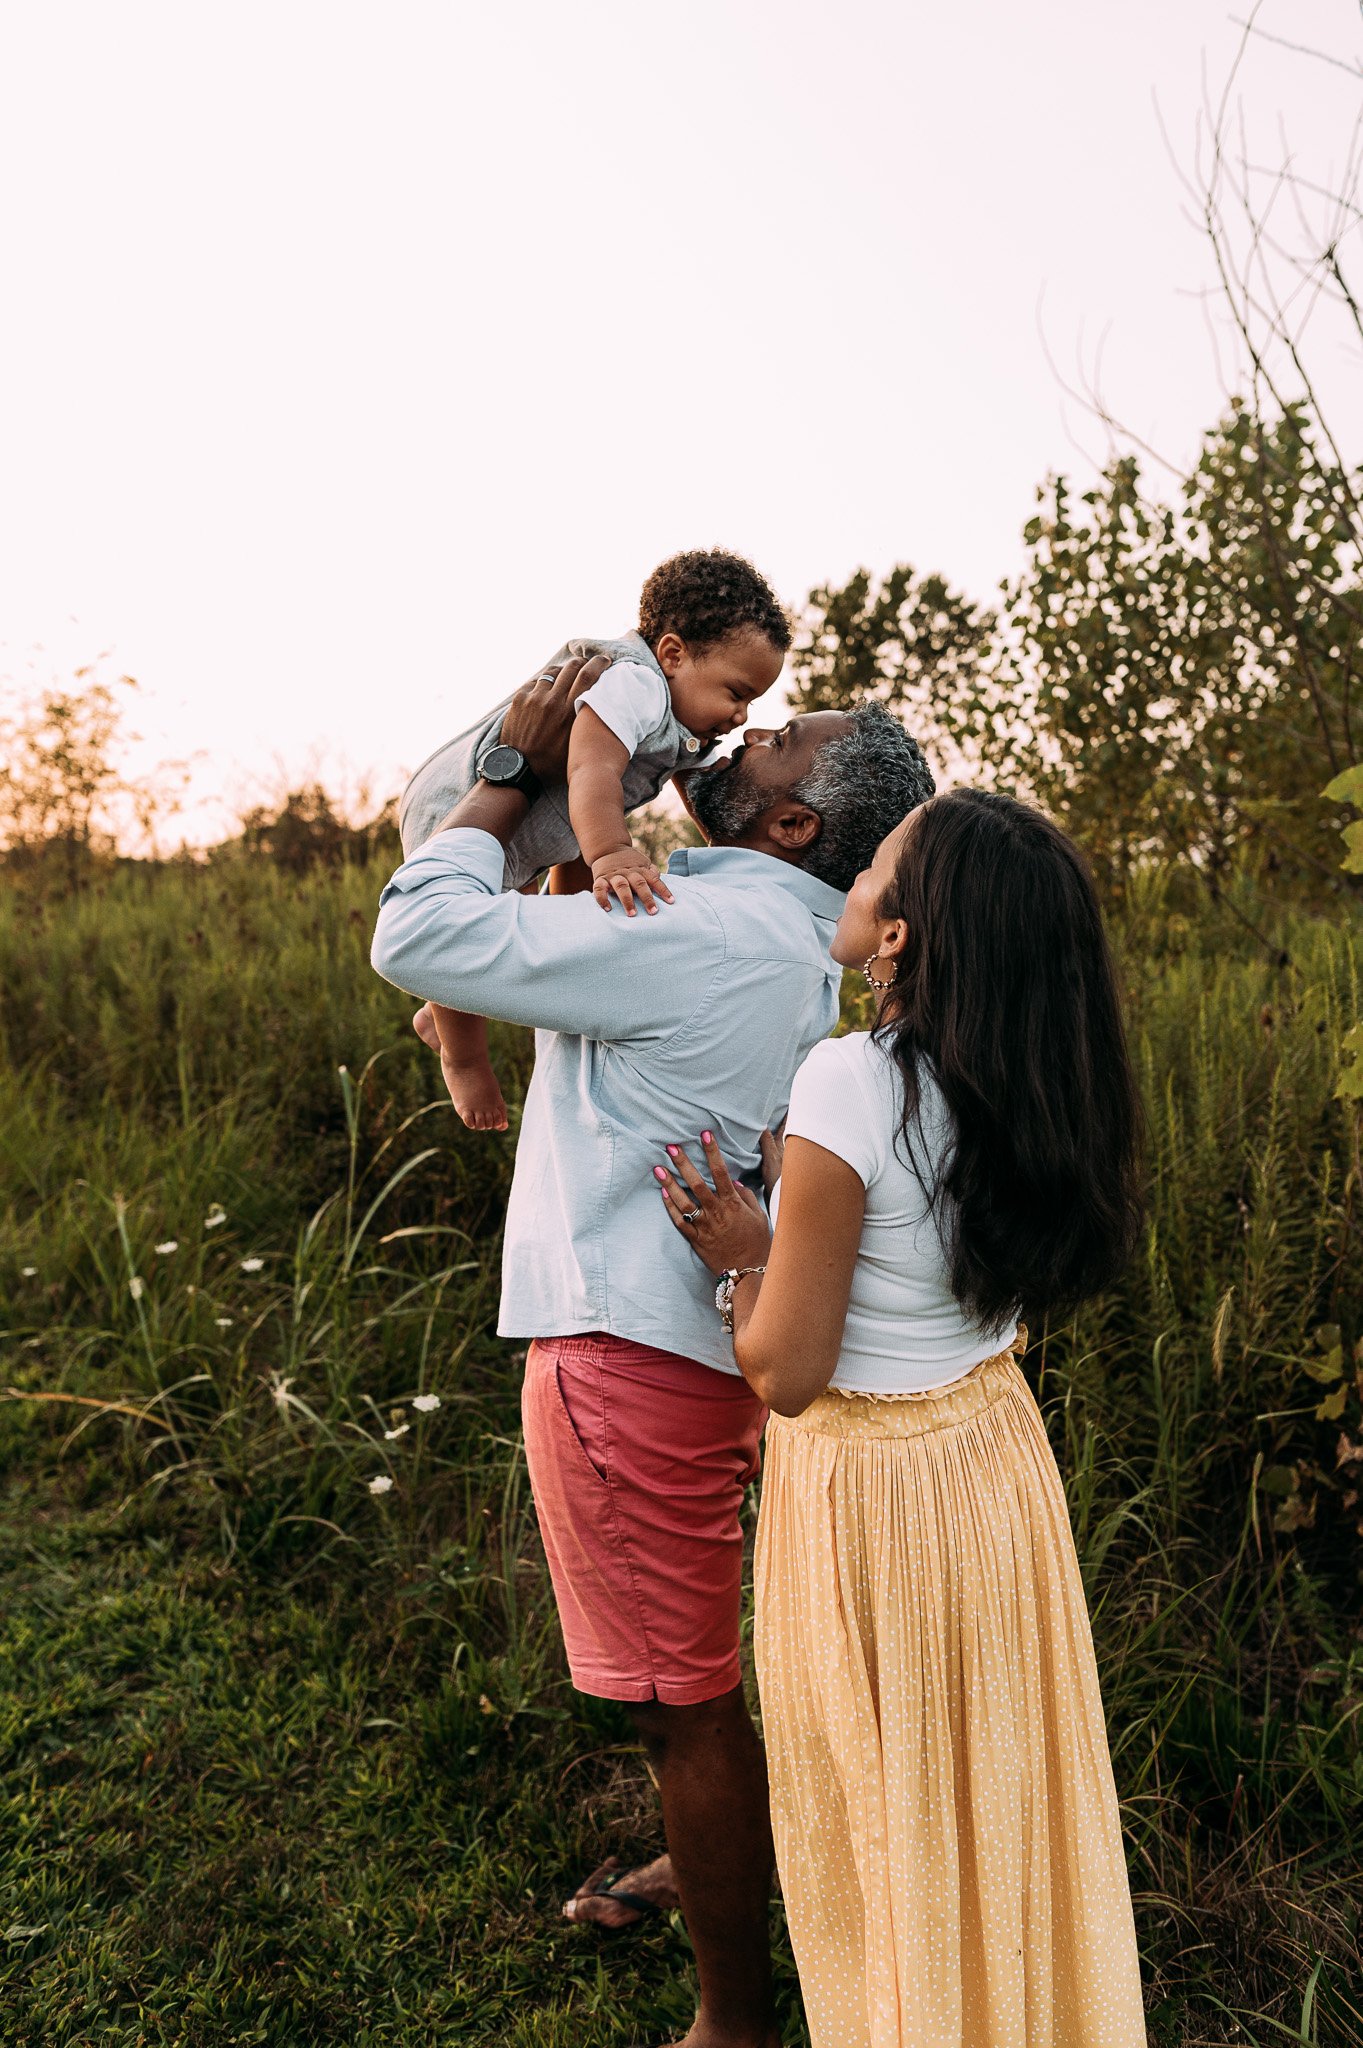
x=451, y=937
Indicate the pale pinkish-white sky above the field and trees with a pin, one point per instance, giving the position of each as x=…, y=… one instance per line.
x=357, y=355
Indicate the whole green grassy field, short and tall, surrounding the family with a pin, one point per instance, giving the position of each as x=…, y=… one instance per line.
x=294, y=1760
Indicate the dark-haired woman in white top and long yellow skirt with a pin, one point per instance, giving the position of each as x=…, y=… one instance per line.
x=942, y=1797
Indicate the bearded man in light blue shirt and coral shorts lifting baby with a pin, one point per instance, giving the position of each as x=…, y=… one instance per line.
x=640, y=1435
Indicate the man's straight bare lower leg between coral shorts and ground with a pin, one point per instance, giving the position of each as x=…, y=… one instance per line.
x=713, y=1779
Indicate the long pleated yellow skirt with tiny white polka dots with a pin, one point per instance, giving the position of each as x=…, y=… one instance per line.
x=942, y=1795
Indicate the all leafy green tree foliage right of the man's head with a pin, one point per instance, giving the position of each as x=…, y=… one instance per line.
x=1170, y=681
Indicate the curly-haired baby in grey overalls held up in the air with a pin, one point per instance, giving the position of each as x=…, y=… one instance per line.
x=711, y=640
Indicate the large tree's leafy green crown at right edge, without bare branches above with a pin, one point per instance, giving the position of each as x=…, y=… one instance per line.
x=1186, y=673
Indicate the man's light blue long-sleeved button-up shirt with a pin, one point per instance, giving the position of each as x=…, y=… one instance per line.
x=648, y=1033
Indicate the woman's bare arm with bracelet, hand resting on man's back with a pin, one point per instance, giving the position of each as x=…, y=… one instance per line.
x=789, y=1324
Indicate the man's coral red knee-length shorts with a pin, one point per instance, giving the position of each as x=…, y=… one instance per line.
x=640, y=1463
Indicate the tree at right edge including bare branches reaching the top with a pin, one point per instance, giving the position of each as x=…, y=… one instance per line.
x=1247, y=595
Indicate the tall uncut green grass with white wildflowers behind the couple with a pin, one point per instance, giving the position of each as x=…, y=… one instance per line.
x=193, y=1043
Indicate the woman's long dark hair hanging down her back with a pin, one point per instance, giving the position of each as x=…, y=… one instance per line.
x=1008, y=992
